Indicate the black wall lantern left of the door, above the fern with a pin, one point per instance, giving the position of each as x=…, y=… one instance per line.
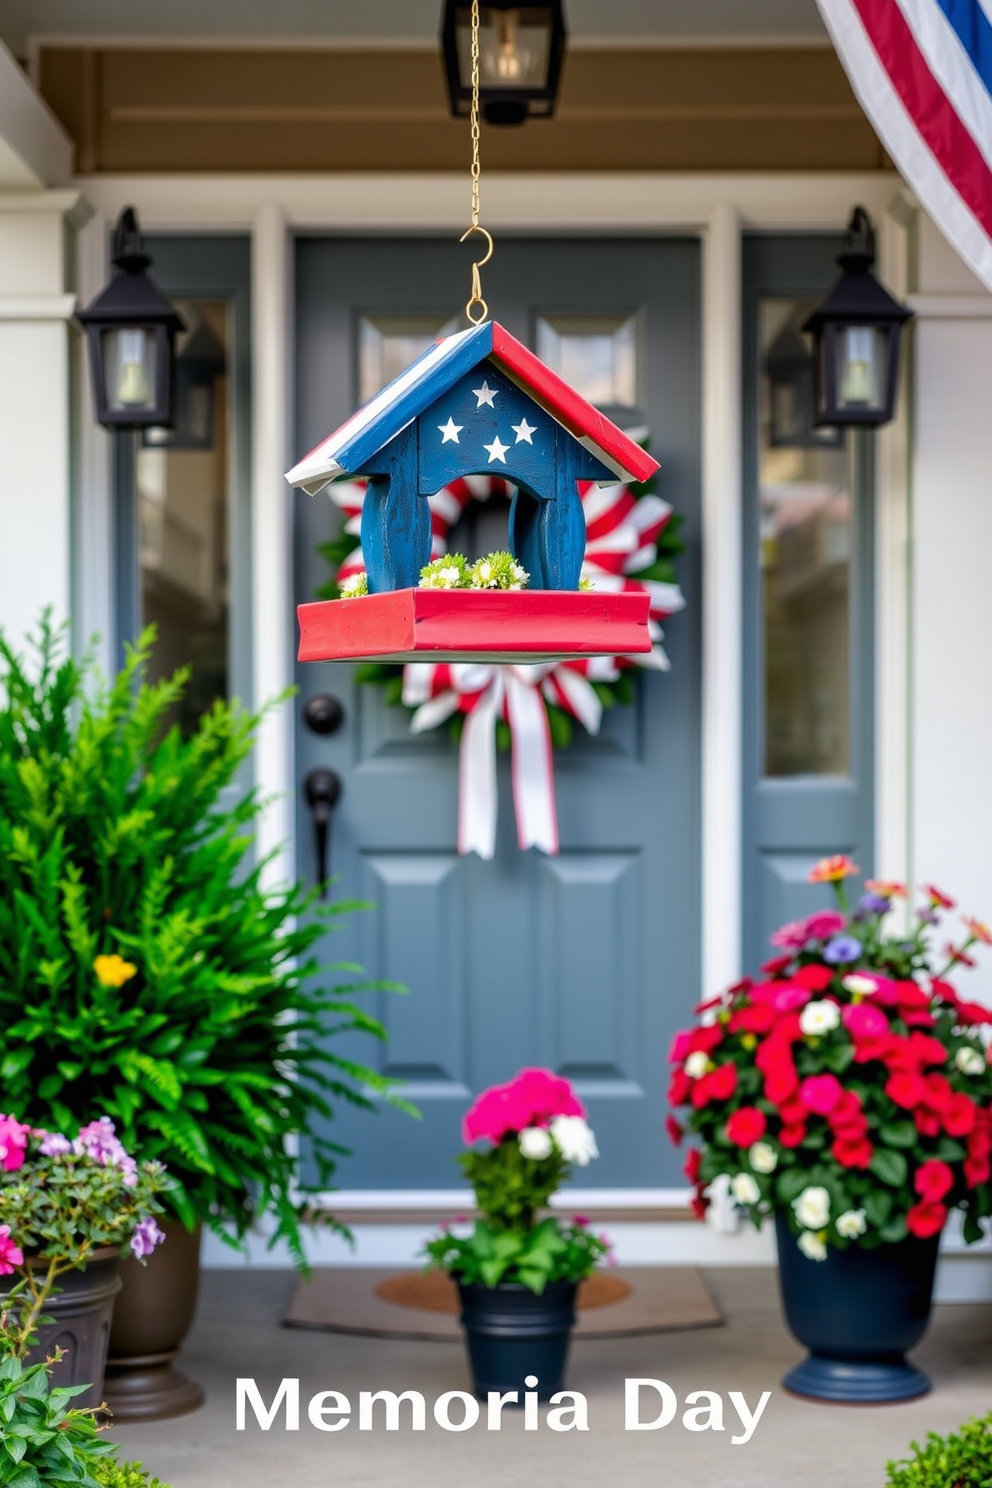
x=132, y=334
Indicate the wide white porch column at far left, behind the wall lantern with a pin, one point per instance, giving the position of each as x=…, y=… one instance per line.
x=36, y=306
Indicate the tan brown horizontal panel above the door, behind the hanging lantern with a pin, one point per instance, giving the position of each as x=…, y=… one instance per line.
x=622, y=109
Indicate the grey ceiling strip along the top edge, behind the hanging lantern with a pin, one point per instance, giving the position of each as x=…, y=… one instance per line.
x=396, y=22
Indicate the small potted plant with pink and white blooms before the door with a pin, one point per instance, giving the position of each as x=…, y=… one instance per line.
x=517, y=1267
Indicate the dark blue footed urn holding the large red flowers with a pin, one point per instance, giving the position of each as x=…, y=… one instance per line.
x=857, y=1313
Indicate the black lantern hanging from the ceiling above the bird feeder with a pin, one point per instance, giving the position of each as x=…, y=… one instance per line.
x=521, y=50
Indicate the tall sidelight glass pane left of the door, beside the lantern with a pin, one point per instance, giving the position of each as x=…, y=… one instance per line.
x=184, y=498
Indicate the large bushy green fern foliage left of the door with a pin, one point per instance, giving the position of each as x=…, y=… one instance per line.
x=221, y=1045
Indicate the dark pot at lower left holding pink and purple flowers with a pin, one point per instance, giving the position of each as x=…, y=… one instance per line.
x=81, y=1315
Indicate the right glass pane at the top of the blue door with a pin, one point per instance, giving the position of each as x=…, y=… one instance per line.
x=596, y=355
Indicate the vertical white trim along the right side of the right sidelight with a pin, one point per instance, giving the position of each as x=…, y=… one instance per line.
x=892, y=590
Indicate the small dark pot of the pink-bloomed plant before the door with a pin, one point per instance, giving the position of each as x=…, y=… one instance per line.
x=514, y=1334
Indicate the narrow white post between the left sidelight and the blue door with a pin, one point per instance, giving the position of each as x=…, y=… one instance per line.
x=273, y=612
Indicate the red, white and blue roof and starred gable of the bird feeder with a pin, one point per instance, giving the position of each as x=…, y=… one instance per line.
x=475, y=385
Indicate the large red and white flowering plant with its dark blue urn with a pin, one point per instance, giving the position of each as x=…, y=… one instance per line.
x=847, y=1094
